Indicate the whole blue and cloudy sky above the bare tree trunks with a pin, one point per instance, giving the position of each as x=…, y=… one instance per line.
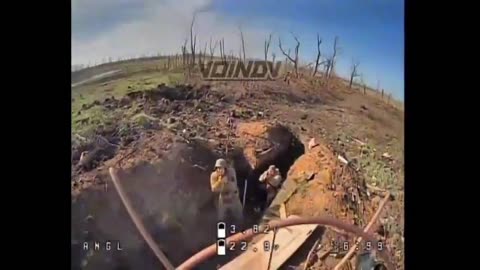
x=370, y=31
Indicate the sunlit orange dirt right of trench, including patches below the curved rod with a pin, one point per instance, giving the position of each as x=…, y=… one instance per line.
x=327, y=187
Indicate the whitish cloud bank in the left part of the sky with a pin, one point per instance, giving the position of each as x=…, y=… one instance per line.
x=162, y=27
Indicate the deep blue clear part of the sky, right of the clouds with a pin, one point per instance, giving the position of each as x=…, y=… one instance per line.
x=369, y=31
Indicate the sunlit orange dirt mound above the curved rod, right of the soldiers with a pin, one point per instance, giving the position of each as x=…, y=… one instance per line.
x=329, y=186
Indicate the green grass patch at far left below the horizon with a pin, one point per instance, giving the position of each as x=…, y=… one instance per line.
x=98, y=115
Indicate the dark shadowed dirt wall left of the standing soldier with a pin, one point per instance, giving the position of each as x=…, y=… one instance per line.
x=172, y=198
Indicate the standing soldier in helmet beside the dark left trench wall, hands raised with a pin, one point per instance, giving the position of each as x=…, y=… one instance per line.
x=223, y=183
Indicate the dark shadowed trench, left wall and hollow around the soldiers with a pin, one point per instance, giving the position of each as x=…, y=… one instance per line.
x=174, y=201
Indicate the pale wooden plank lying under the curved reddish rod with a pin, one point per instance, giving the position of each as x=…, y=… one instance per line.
x=287, y=241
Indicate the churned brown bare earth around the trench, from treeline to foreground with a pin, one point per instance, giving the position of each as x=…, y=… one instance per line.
x=167, y=158
